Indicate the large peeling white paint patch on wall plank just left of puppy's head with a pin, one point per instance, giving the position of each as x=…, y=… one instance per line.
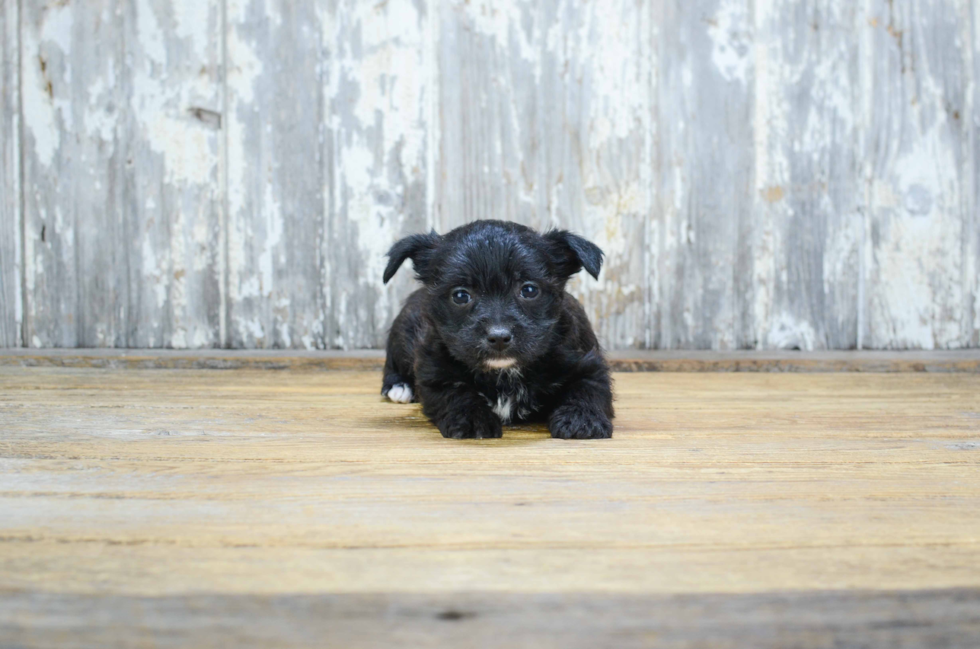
x=377, y=86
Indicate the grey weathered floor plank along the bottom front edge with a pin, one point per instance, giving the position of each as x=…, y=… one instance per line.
x=896, y=620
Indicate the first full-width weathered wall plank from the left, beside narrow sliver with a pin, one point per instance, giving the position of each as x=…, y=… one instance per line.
x=74, y=160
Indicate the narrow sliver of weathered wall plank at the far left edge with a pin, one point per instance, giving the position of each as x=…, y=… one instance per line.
x=11, y=298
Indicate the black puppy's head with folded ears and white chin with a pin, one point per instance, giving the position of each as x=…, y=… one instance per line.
x=495, y=288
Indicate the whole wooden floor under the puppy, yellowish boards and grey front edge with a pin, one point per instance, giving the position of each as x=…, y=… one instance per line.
x=292, y=509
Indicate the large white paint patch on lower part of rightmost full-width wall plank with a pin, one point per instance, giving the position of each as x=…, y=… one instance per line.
x=918, y=295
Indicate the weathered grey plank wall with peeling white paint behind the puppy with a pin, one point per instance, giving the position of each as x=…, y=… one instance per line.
x=761, y=174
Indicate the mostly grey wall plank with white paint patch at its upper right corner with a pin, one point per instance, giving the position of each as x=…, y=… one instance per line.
x=703, y=255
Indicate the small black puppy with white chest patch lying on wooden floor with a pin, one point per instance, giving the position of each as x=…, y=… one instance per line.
x=493, y=337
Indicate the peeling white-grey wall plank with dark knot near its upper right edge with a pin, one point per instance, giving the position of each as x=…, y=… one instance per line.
x=171, y=195
